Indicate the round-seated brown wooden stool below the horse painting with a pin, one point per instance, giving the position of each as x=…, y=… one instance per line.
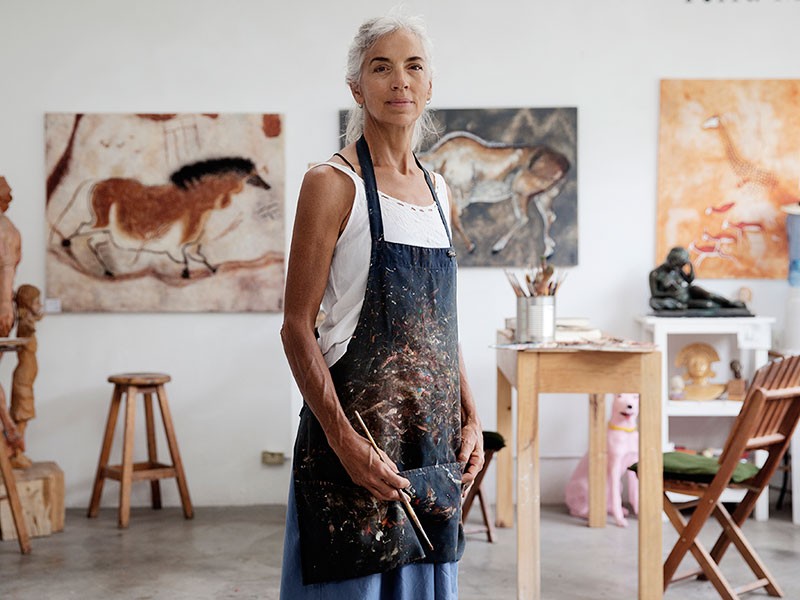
x=131, y=384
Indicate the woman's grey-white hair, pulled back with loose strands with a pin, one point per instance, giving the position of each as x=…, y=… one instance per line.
x=368, y=34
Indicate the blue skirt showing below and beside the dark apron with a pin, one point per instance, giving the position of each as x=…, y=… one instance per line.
x=417, y=581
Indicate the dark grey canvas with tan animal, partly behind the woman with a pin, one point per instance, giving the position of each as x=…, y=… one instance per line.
x=513, y=174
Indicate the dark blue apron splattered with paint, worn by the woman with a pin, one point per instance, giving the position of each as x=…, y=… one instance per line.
x=400, y=372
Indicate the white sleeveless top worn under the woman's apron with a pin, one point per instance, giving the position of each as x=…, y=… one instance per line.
x=403, y=223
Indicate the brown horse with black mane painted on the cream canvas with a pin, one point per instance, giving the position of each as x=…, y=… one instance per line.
x=163, y=219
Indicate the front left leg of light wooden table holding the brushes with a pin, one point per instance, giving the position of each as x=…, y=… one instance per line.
x=528, y=490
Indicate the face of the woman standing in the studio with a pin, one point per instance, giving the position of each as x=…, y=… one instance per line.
x=395, y=80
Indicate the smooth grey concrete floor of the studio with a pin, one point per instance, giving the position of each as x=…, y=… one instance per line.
x=227, y=553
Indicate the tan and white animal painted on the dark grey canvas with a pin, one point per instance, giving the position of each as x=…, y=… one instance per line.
x=485, y=172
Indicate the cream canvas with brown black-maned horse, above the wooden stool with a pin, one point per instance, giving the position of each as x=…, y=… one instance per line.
x=165, y=212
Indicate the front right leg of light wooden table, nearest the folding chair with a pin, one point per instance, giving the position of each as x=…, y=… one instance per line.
x=651, y=484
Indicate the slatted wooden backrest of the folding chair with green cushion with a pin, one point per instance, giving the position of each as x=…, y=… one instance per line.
x=768, y=417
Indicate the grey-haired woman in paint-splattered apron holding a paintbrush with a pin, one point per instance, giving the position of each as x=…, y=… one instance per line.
x=383, y=269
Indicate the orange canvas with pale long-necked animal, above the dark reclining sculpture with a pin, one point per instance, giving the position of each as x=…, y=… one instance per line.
x=728, y=160
